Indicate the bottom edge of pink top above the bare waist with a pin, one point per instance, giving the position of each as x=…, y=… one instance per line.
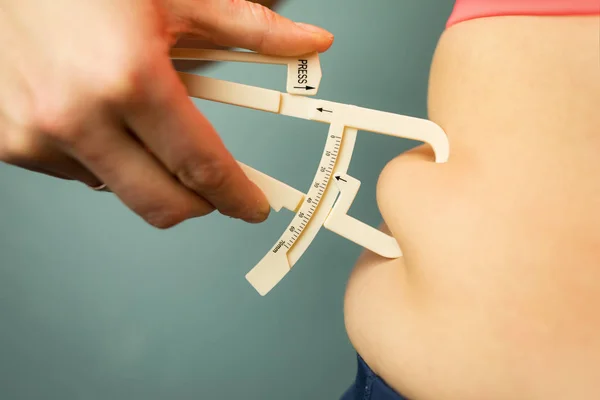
x=471, y=9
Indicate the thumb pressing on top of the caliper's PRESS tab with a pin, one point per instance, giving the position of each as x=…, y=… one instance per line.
x=252, y=26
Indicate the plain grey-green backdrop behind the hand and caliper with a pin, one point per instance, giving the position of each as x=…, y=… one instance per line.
x=95, y=304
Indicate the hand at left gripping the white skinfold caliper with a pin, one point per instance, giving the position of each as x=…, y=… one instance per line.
x=89, y=93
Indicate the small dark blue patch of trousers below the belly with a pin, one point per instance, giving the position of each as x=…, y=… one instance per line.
x=368, y=386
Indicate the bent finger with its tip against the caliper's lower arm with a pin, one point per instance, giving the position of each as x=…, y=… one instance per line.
x=166, y=120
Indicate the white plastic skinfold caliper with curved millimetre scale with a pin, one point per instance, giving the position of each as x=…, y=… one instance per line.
x=318, y=207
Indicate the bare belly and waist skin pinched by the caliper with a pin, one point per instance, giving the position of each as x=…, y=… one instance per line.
x=498, y=293
